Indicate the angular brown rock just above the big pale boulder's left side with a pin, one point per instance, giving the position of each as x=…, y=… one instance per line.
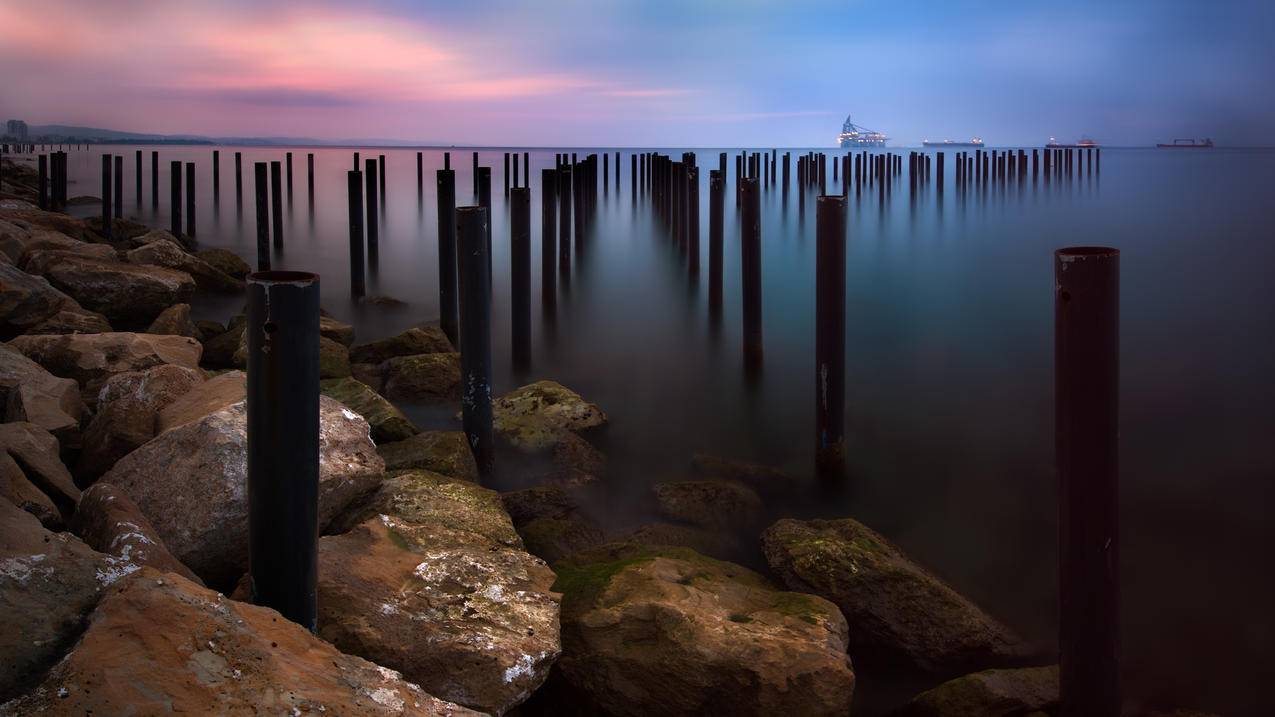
x=127, y=415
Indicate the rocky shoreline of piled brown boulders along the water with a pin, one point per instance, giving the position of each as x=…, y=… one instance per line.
x=123, y=535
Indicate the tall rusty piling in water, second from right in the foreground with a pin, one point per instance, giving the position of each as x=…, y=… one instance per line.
x=831, y=335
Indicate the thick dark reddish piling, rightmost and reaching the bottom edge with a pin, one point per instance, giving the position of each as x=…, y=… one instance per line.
x=1087, y=385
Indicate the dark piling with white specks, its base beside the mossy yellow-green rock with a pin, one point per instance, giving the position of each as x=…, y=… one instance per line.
x=474, y=265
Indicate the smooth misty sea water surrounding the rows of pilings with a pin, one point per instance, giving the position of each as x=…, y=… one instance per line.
x=949, y=367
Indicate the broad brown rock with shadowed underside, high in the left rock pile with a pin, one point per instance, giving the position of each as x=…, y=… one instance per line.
x=128, y=295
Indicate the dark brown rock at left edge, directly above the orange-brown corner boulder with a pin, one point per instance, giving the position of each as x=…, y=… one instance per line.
x=49, y=582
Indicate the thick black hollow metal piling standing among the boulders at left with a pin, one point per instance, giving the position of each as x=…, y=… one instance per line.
x=284, y=443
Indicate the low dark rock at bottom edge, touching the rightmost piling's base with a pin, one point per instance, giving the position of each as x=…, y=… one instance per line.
x=991, y=693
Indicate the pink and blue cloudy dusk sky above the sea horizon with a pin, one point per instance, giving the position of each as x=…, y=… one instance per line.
x=647, y=73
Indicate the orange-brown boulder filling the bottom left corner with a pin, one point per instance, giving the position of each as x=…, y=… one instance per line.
x=159, y=644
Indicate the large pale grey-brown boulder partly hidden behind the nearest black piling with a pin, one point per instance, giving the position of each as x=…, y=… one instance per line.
x=192, y=483
